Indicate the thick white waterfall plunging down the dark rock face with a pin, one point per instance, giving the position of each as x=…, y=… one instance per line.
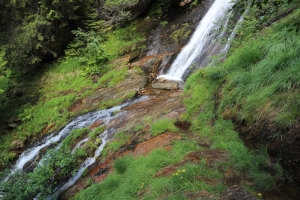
x=203, y=35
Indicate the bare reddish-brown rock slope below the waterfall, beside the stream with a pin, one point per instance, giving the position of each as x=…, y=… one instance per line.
x=158, y=105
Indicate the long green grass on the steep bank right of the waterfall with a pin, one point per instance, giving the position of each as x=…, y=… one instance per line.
x=259, y=78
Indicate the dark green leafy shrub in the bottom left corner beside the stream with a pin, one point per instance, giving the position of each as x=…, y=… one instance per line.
x=42, y=181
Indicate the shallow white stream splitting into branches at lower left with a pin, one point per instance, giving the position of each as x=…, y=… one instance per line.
x=83, y=121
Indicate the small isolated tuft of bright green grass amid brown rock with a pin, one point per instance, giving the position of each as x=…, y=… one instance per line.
x=161, y=126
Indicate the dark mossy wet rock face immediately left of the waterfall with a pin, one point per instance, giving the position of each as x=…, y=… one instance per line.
x=171, y=38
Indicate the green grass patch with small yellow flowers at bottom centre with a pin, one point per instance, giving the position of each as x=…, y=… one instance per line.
x=137, y=174
